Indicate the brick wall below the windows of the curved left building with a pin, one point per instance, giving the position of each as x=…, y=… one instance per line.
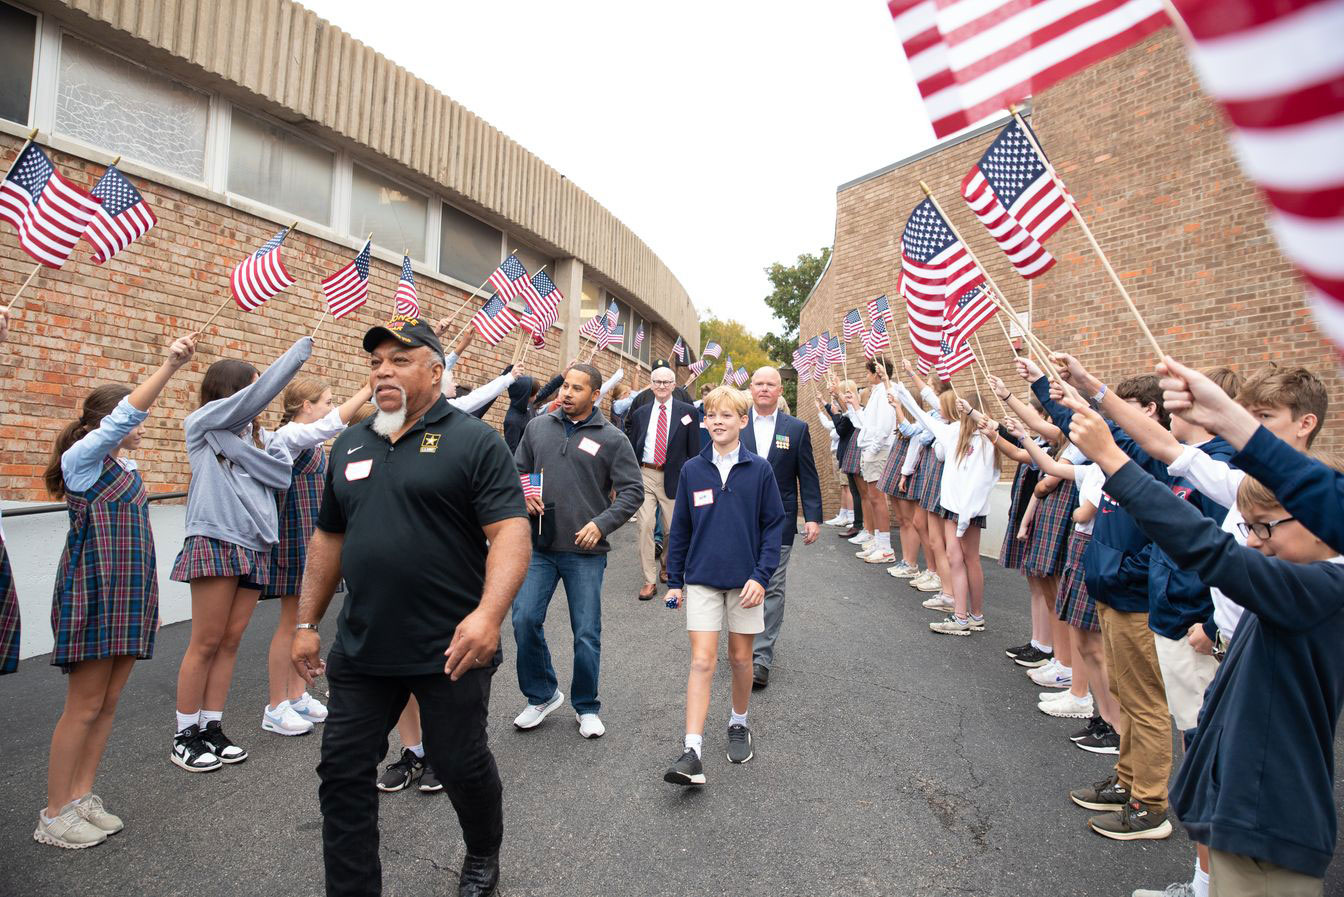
x=87, y=325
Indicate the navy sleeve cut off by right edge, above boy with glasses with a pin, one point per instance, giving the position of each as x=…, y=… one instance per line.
x=1310, y=490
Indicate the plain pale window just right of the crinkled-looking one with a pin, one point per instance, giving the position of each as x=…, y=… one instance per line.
x=278, y=167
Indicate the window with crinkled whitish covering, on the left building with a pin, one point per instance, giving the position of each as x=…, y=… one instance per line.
x=119, y=107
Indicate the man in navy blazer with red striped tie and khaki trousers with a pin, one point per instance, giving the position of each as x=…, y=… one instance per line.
x=661, y=466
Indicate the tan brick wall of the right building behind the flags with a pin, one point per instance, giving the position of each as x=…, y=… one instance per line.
x=1144, y=154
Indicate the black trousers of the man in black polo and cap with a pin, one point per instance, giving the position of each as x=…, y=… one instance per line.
x=362, y=712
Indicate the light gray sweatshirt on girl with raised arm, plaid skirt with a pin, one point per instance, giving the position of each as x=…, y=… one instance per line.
x=233, y=482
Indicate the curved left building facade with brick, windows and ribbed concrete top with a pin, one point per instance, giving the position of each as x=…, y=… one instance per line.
x=236, y=120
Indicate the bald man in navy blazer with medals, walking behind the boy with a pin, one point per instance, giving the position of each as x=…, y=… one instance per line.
x=786, y=443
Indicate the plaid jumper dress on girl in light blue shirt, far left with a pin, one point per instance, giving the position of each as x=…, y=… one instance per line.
x=106, y=602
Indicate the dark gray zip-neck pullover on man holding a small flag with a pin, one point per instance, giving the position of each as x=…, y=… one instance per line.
x=580, y=474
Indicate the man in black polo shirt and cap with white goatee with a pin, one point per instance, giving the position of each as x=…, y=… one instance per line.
x=412, y=498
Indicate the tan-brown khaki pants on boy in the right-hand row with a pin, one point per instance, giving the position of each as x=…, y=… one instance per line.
x=1136, y=680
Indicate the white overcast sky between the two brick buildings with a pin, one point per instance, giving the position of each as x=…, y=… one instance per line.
x=717, y=131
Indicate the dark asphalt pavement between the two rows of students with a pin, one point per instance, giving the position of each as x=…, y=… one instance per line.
x=889, y=760
